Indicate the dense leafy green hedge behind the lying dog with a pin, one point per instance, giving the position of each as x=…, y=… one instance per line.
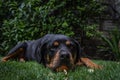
x=30, y=19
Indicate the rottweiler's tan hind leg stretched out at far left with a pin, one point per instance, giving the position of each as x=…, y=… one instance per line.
x=19, y=53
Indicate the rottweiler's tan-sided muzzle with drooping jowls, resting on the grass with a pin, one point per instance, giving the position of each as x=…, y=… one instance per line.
x=61, y=63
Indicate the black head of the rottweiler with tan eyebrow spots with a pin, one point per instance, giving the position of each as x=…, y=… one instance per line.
x=60, y=52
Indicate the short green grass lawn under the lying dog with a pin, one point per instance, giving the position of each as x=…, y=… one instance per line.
x=13, y=70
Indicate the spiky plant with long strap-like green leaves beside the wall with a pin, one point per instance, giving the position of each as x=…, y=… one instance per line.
x=112, y=43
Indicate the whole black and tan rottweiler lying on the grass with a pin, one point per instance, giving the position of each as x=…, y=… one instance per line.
x=55, y=51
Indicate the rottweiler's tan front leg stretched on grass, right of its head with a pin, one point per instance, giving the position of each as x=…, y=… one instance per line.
x=88, y=63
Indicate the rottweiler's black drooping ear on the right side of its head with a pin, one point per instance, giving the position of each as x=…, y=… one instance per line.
x=79, y=50
